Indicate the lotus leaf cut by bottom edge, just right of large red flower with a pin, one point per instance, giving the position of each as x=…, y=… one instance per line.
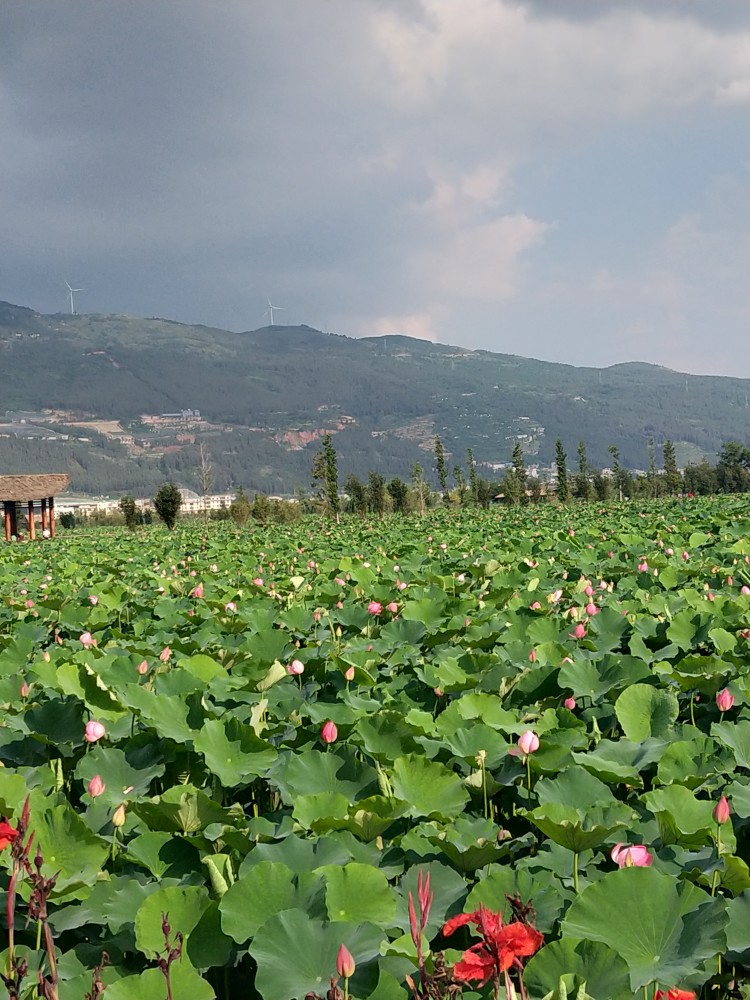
x=589, y=964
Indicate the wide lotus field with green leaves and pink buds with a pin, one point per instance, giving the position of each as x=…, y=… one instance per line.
x=505, y=754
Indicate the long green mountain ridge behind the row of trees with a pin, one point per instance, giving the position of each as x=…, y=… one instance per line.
x=122, y=403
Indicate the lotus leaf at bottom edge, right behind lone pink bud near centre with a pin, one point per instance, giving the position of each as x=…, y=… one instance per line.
x=296, y=954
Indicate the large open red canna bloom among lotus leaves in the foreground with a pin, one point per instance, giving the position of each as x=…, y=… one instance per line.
x=502, y=946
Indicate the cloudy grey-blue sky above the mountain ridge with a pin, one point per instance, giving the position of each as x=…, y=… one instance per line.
x=559, y=179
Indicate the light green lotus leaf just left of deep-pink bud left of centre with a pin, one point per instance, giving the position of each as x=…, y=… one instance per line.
x=233, y=752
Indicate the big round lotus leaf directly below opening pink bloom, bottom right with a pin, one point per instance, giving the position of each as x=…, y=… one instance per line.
x=663, y=929
